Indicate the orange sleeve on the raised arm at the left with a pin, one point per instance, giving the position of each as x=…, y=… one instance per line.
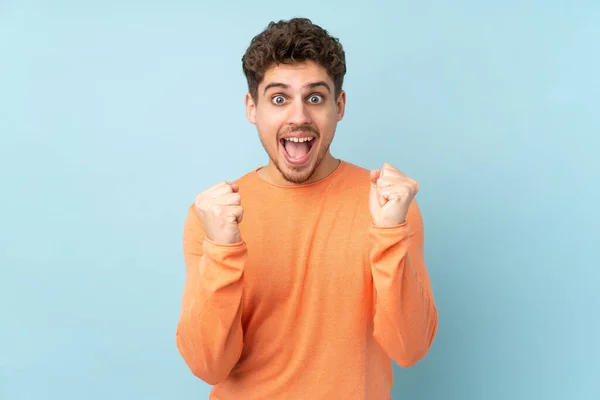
x=209, y=333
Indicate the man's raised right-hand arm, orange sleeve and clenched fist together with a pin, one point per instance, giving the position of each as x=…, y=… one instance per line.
x=406, y=319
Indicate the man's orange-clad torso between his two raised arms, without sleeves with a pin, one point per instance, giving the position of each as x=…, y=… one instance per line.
x=309, y=303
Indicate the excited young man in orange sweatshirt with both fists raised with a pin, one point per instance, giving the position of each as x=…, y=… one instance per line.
x=305, y=277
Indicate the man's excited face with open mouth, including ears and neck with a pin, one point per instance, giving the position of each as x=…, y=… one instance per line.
x=296, y=115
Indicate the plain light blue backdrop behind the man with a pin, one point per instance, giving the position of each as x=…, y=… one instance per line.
x=115, y=114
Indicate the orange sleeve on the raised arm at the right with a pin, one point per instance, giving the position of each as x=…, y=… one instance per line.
x=406, y=319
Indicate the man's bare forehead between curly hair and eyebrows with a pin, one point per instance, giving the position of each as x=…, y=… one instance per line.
x=295, y=75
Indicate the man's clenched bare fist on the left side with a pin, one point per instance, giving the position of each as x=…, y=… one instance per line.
x=219, y=207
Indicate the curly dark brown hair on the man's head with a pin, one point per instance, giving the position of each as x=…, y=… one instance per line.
x=294, y=40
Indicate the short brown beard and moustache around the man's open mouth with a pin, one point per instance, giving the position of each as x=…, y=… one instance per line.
x=298, y=174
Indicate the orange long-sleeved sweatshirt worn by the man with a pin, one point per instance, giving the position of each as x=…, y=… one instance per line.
x=314, y=303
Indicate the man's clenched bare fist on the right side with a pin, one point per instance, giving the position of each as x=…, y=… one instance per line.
x=390, y=196
